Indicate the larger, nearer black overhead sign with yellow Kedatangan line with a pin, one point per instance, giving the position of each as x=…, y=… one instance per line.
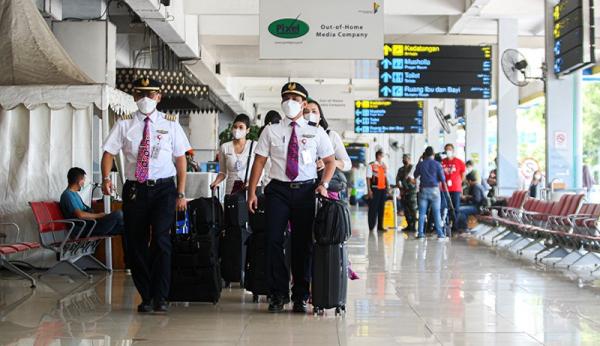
x=435, y=71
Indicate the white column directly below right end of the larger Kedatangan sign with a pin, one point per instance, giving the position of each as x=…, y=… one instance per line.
x=476, y=146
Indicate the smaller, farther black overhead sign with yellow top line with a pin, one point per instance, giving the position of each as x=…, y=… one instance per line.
x=387, y=116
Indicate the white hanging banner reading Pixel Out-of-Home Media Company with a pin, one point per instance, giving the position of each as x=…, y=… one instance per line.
x=316, y=29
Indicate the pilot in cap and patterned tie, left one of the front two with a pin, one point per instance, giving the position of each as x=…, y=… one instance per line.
x=153, y=146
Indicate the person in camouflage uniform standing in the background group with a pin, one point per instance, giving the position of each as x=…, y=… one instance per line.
x=408, y=191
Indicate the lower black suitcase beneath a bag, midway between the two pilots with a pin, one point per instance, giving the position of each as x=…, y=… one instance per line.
x=232, y=253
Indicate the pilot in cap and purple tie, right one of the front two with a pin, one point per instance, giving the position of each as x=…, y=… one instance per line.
x=293, y=147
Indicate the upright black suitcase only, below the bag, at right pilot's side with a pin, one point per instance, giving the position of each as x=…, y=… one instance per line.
x=329, y=278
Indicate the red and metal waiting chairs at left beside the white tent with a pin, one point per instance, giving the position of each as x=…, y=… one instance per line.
x=69, y=239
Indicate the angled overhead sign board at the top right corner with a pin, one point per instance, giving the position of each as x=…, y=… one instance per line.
x=573, y=35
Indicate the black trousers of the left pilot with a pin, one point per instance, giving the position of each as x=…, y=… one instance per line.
x=149, y=213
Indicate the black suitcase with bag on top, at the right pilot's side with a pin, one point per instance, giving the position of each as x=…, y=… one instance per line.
x=331, y=230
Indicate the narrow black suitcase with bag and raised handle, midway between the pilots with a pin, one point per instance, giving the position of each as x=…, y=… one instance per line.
x=235, y=234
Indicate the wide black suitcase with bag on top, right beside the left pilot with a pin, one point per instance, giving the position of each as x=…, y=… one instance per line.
x=196, y=274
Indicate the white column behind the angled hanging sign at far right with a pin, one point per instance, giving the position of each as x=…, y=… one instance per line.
x=564, y=148
